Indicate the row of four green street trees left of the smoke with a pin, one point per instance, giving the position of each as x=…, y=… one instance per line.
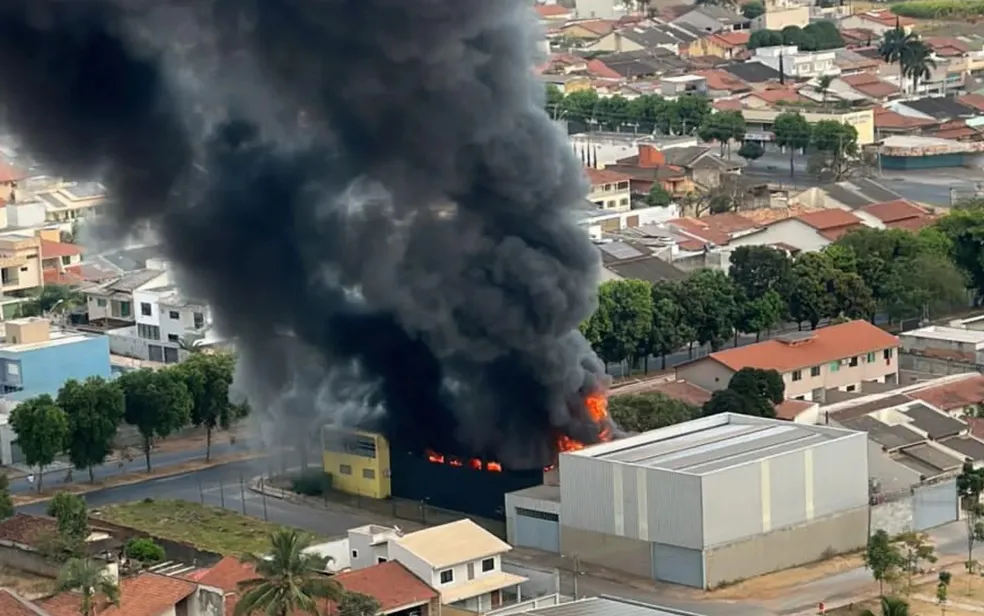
x=83, y=419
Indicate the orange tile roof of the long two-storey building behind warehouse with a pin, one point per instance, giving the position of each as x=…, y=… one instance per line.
x=827, y=344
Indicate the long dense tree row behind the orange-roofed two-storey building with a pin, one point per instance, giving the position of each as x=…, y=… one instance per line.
x=869, y=271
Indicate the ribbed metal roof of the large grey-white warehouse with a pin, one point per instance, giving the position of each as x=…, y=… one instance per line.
x=711, y=446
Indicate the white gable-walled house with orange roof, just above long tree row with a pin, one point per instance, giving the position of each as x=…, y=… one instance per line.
x=806, y=232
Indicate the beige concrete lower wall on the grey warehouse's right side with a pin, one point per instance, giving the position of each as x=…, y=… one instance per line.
x=785, y=548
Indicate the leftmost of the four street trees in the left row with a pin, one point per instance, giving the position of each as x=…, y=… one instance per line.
x=41, y=428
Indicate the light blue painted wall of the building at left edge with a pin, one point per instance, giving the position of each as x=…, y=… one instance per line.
x=45, y=370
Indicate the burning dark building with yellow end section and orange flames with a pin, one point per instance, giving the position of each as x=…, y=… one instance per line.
x=368, y=464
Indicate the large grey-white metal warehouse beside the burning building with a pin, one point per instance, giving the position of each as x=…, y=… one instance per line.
x=716, y=499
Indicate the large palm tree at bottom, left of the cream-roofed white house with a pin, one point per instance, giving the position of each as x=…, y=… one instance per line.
x=288, y=579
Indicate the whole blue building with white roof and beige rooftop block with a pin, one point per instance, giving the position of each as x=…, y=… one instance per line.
x=35, y=359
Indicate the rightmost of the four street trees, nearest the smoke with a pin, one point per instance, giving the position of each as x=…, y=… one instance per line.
x=207, y=378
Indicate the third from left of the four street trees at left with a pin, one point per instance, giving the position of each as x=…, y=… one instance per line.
x=155, y=402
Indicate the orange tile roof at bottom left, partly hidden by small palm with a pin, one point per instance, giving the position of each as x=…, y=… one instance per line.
x=147, y=594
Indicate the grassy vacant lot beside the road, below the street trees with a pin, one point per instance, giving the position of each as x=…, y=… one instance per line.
x=207, y=528
